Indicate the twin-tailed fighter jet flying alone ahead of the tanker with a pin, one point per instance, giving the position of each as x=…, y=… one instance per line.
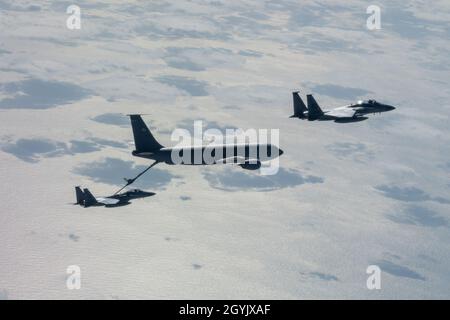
x=349, y=113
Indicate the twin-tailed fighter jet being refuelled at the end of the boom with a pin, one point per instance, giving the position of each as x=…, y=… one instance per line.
x=86, y=199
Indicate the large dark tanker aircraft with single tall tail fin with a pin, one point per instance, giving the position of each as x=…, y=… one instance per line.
x=247, y=156
